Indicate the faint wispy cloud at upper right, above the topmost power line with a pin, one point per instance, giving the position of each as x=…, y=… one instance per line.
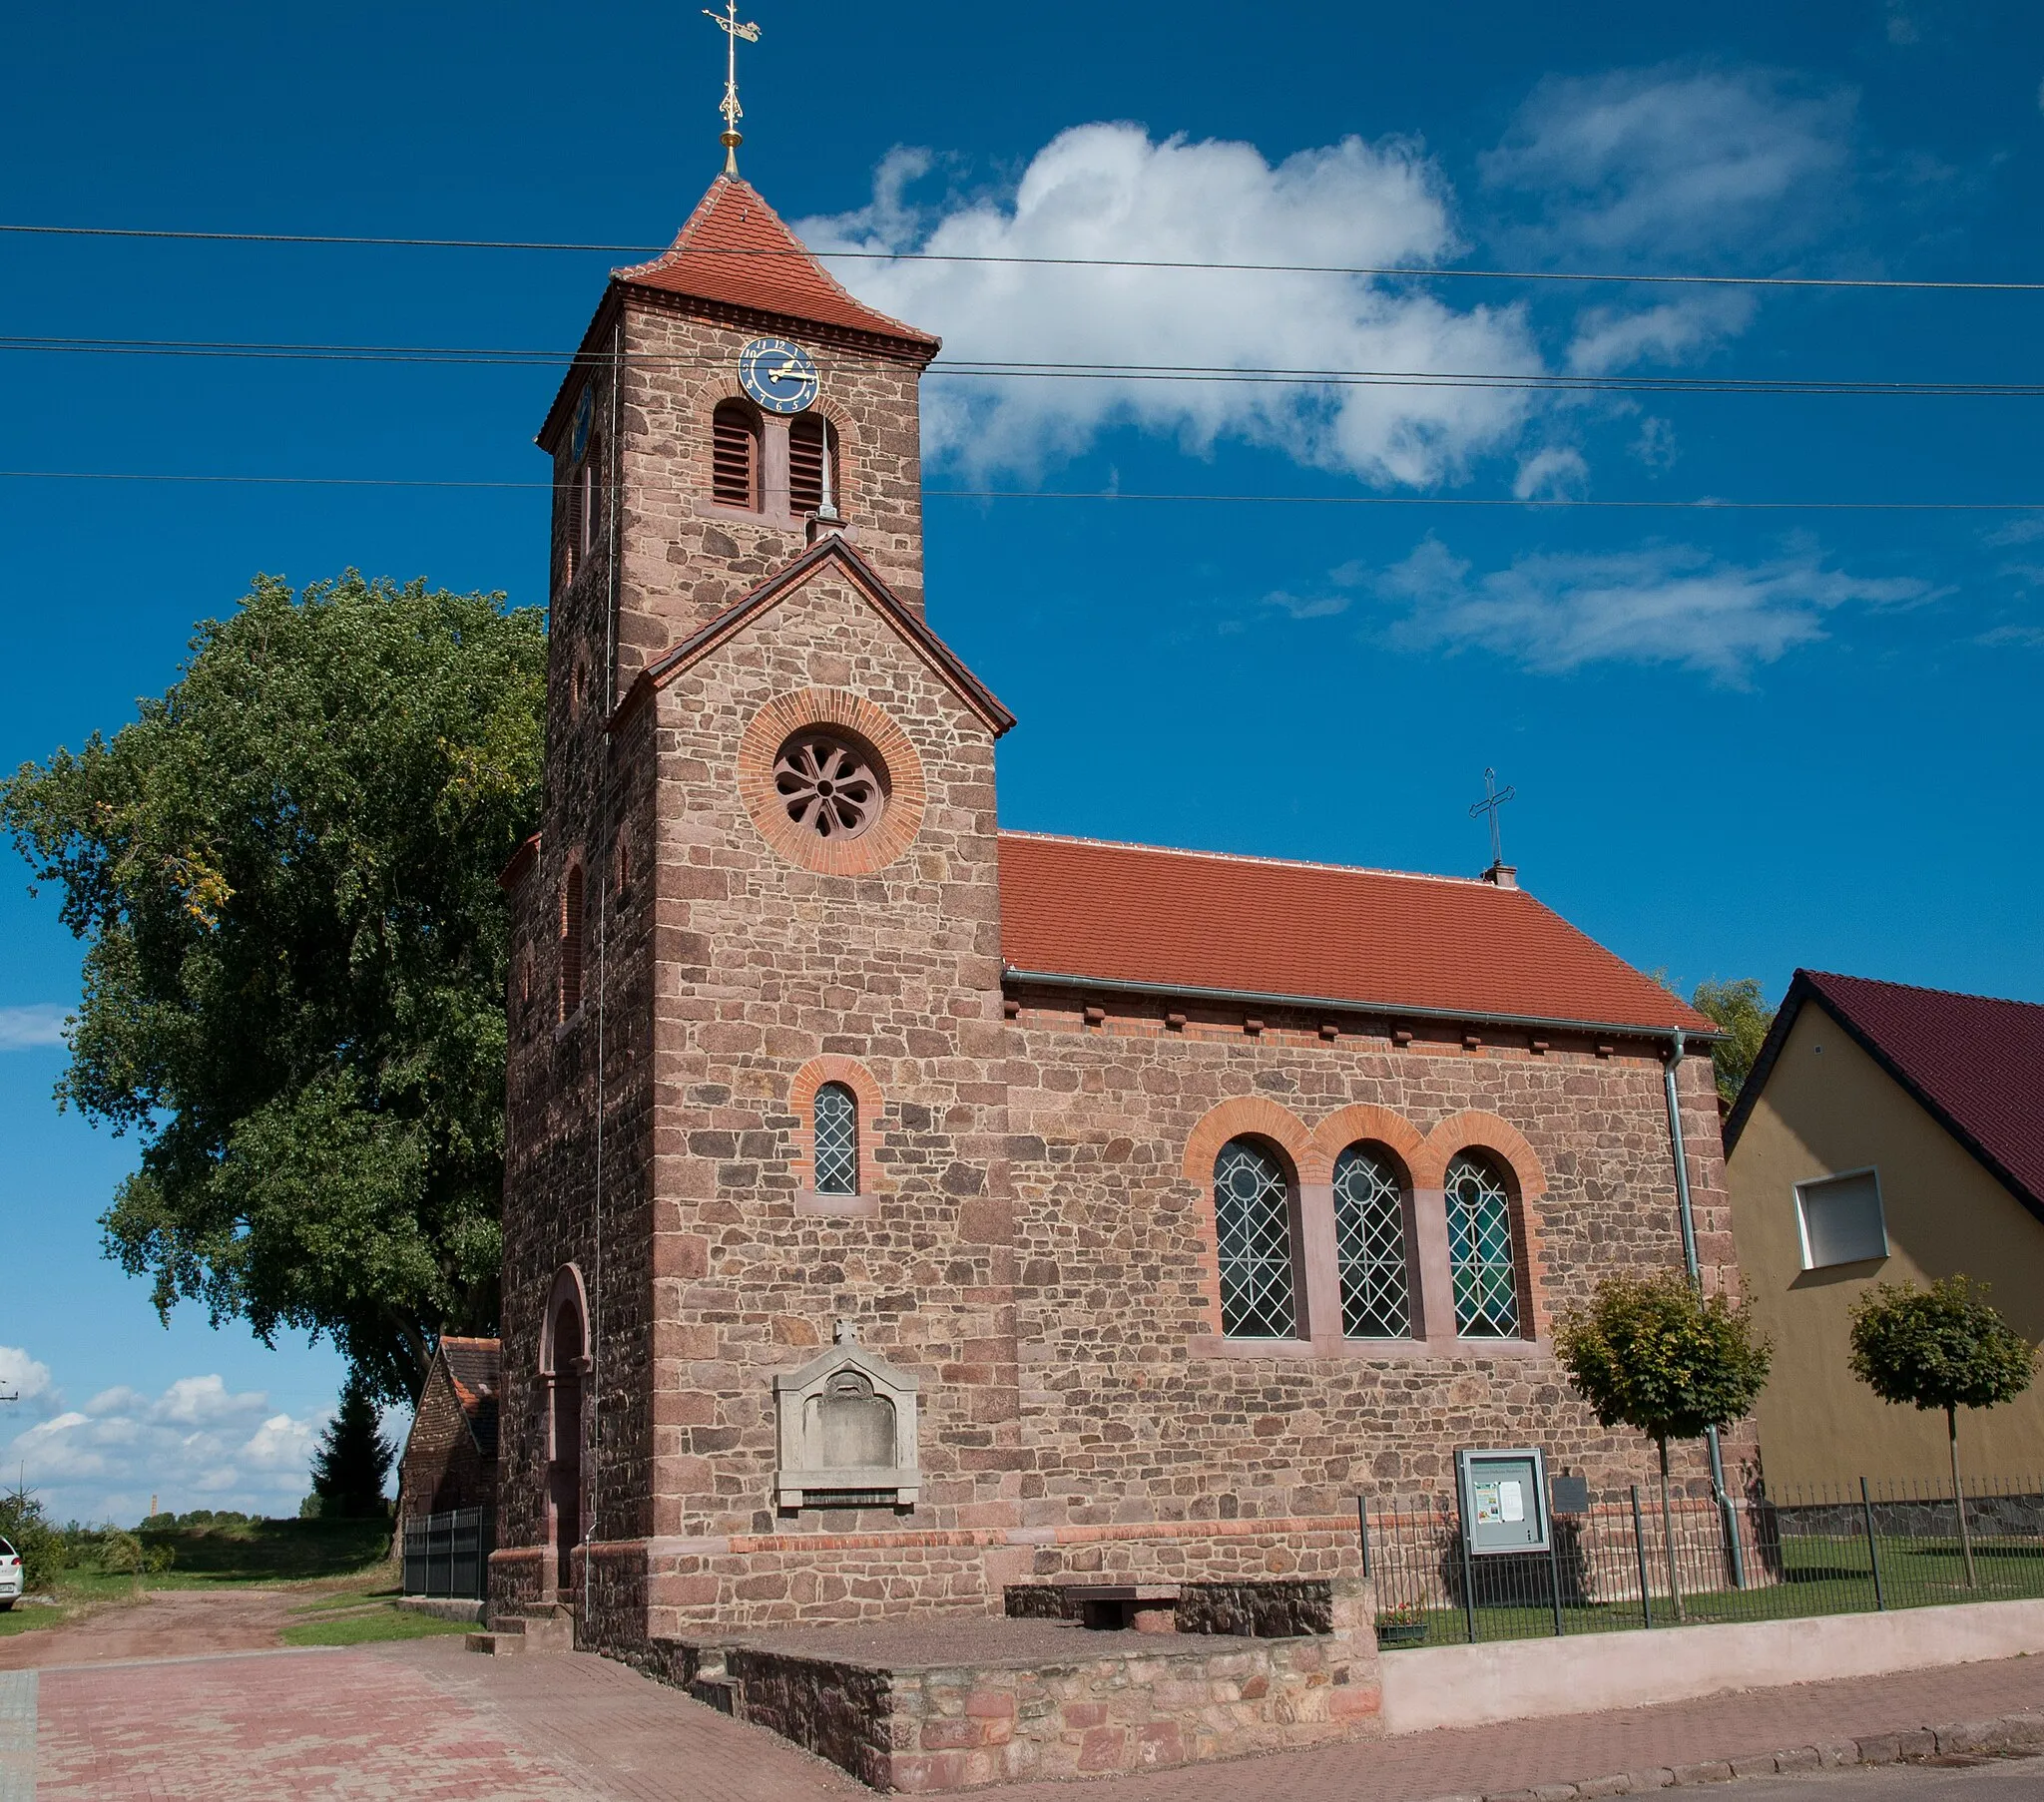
x=1669, y=160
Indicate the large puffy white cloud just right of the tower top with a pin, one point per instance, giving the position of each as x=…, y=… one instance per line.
x=1111, y=191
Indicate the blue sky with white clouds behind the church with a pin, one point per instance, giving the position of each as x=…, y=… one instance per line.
x=1743, y=741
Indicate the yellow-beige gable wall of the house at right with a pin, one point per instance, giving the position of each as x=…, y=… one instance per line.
x=1830, y=1108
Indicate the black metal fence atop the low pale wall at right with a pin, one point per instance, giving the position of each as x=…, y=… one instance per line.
x=1769, y=1556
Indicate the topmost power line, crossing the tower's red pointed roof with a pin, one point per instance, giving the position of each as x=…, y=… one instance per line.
x=1389, y=271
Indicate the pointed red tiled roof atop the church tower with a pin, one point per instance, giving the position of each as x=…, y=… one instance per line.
x=739, y=252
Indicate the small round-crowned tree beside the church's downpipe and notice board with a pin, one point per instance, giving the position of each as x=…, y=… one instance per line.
x=1655, y=1356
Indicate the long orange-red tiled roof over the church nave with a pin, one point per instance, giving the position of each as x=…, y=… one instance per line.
x=1323, y=933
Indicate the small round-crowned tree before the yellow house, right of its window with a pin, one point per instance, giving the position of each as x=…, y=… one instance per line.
x=1941, y=1347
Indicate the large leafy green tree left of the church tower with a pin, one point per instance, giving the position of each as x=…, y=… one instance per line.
x=285, y=873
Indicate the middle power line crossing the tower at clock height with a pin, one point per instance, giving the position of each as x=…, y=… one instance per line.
x=1052, y=371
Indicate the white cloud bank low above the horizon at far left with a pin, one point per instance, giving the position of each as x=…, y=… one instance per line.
x=195, y=1445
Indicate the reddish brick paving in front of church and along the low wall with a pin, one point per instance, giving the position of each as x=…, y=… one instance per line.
x=430, y=1721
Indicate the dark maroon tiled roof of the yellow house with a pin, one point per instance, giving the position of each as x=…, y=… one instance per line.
x=1973, y=1061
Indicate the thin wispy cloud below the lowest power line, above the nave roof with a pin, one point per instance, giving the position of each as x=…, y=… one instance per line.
x=1657, y=606
